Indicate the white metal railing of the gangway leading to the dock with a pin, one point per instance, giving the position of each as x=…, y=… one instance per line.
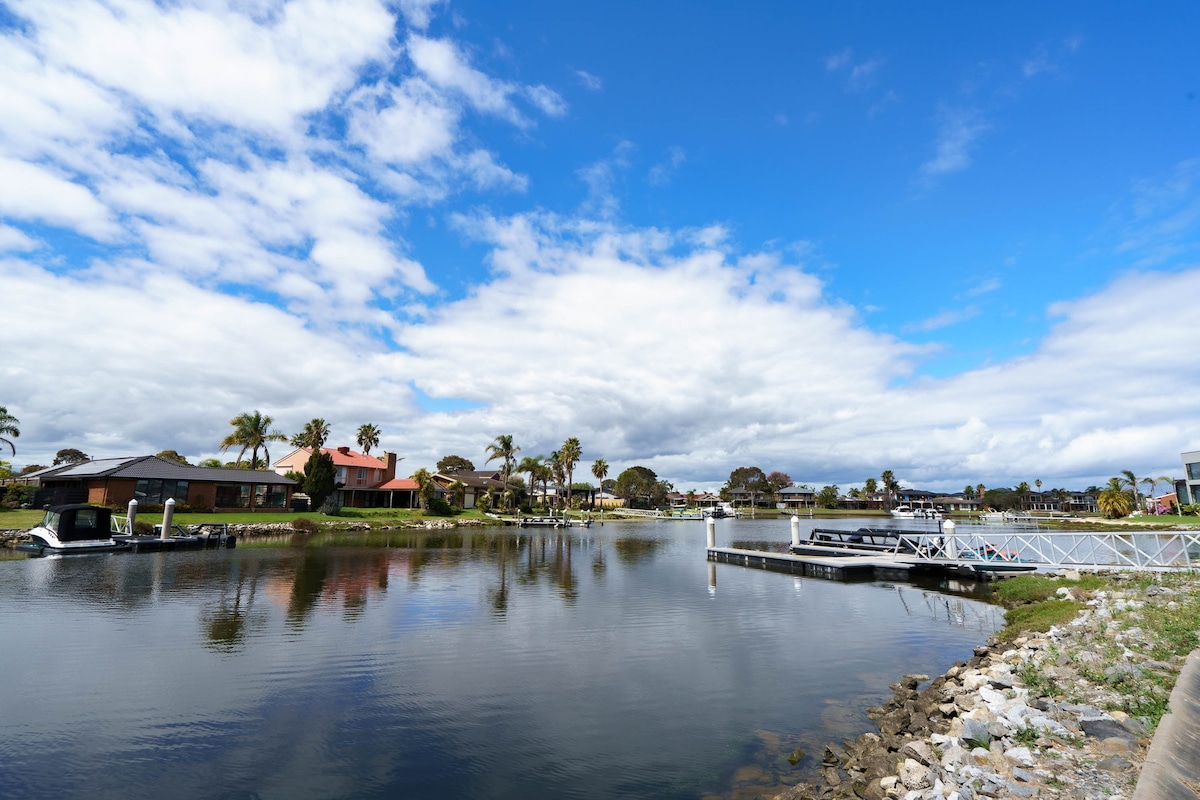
x=1099, y=551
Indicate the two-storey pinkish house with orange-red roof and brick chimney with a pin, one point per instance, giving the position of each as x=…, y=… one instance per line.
x=363, y=480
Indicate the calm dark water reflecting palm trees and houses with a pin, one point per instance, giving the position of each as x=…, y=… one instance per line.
x=613, y=663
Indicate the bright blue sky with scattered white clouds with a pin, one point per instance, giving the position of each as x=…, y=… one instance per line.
x=962, y=244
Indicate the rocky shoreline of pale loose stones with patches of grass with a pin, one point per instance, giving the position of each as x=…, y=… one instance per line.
x=1035, y=718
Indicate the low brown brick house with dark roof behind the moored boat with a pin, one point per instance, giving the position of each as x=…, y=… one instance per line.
x=152, y=482
